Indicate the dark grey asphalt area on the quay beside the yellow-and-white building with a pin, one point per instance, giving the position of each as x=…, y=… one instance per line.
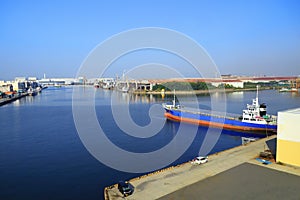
x=246, y=181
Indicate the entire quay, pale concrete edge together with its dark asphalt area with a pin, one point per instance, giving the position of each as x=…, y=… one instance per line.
x=185, y=181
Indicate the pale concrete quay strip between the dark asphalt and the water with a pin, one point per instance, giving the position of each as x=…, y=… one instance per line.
x=175, y=179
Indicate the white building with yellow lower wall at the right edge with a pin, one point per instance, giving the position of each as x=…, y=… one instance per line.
x=288, y=137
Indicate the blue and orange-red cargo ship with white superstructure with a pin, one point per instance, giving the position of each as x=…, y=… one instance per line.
x=254, y=118
